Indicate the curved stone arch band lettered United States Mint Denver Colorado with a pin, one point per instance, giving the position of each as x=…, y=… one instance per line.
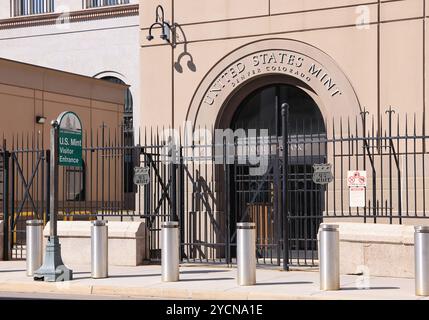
x=295, y=61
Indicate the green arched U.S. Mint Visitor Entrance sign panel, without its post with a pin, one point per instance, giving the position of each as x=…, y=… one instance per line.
x=70, y=140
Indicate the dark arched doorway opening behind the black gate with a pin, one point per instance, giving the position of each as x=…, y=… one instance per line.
x=258, y=197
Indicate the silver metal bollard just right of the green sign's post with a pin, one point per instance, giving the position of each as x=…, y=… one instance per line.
x=99, y=249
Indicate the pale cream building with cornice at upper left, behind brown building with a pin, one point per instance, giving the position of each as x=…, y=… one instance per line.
x=93, y=38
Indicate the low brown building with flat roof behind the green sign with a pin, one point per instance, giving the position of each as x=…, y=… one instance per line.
x=30, y=98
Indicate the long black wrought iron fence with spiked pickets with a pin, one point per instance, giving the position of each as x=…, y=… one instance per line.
x=211, y=185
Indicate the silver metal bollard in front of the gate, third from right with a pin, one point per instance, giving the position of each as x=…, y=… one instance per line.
x=246, y=253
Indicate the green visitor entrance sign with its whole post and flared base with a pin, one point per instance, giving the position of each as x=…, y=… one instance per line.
x=66, y=150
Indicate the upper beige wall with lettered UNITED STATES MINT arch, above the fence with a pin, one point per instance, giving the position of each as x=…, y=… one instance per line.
x=347, y=54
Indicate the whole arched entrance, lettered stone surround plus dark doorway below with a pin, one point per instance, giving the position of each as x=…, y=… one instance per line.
x=227, y=97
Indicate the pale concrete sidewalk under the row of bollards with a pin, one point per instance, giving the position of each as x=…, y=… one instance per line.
x=204, y=282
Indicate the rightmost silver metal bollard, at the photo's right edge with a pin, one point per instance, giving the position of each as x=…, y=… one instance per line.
x=421, y=256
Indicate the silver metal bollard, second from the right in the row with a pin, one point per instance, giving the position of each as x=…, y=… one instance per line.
x=329, y=257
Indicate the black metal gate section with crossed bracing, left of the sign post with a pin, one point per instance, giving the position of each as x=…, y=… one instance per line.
x=24, y=195
